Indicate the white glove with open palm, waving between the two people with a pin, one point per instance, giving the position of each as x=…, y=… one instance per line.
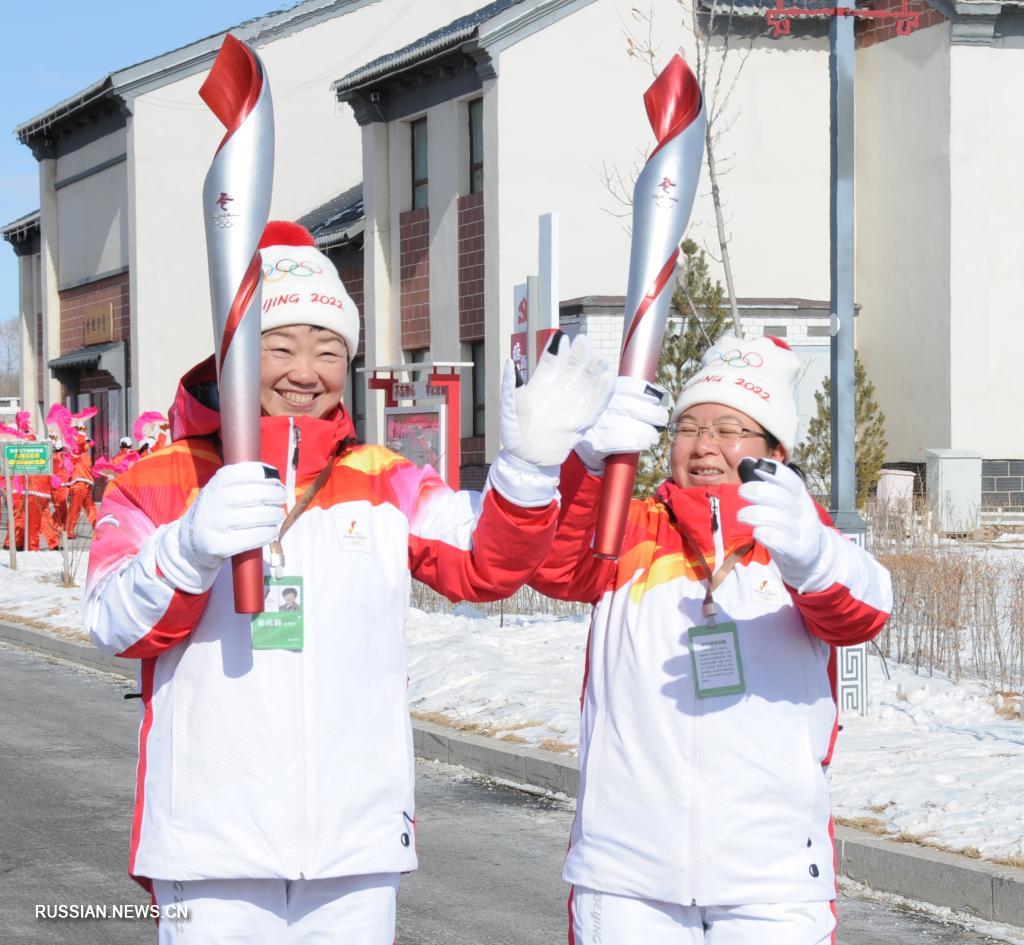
x=540, y=422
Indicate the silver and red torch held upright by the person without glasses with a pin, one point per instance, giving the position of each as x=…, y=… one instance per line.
x=236, y=207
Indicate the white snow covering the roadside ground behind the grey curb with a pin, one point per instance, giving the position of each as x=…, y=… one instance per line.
x=932, y=759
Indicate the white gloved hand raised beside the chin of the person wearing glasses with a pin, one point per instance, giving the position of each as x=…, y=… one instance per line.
x=787, y=523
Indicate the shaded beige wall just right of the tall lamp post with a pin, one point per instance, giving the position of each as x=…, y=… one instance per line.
x=904, y=244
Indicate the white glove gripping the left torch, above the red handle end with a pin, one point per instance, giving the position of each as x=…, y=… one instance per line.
x=238, y=510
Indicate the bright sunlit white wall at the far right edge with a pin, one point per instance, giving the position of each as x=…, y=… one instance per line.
x=988, y=246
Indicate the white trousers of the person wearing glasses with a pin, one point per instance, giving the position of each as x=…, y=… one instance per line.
x=602, y=919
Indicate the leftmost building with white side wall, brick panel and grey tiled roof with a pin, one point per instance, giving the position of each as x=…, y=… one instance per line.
x=119, y=302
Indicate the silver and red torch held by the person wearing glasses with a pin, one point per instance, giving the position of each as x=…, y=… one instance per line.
x=663, y=199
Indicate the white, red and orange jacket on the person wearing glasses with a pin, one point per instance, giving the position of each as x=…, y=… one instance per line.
x=720, y=801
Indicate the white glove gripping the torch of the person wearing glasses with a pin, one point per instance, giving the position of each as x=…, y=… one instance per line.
x=632, y=423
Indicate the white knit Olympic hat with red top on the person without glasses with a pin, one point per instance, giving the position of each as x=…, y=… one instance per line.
x=302, y=285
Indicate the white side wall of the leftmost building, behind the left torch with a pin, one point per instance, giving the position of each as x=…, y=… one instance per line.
x=318, y=156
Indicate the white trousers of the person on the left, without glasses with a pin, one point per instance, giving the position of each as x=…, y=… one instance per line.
x=350, y=911
